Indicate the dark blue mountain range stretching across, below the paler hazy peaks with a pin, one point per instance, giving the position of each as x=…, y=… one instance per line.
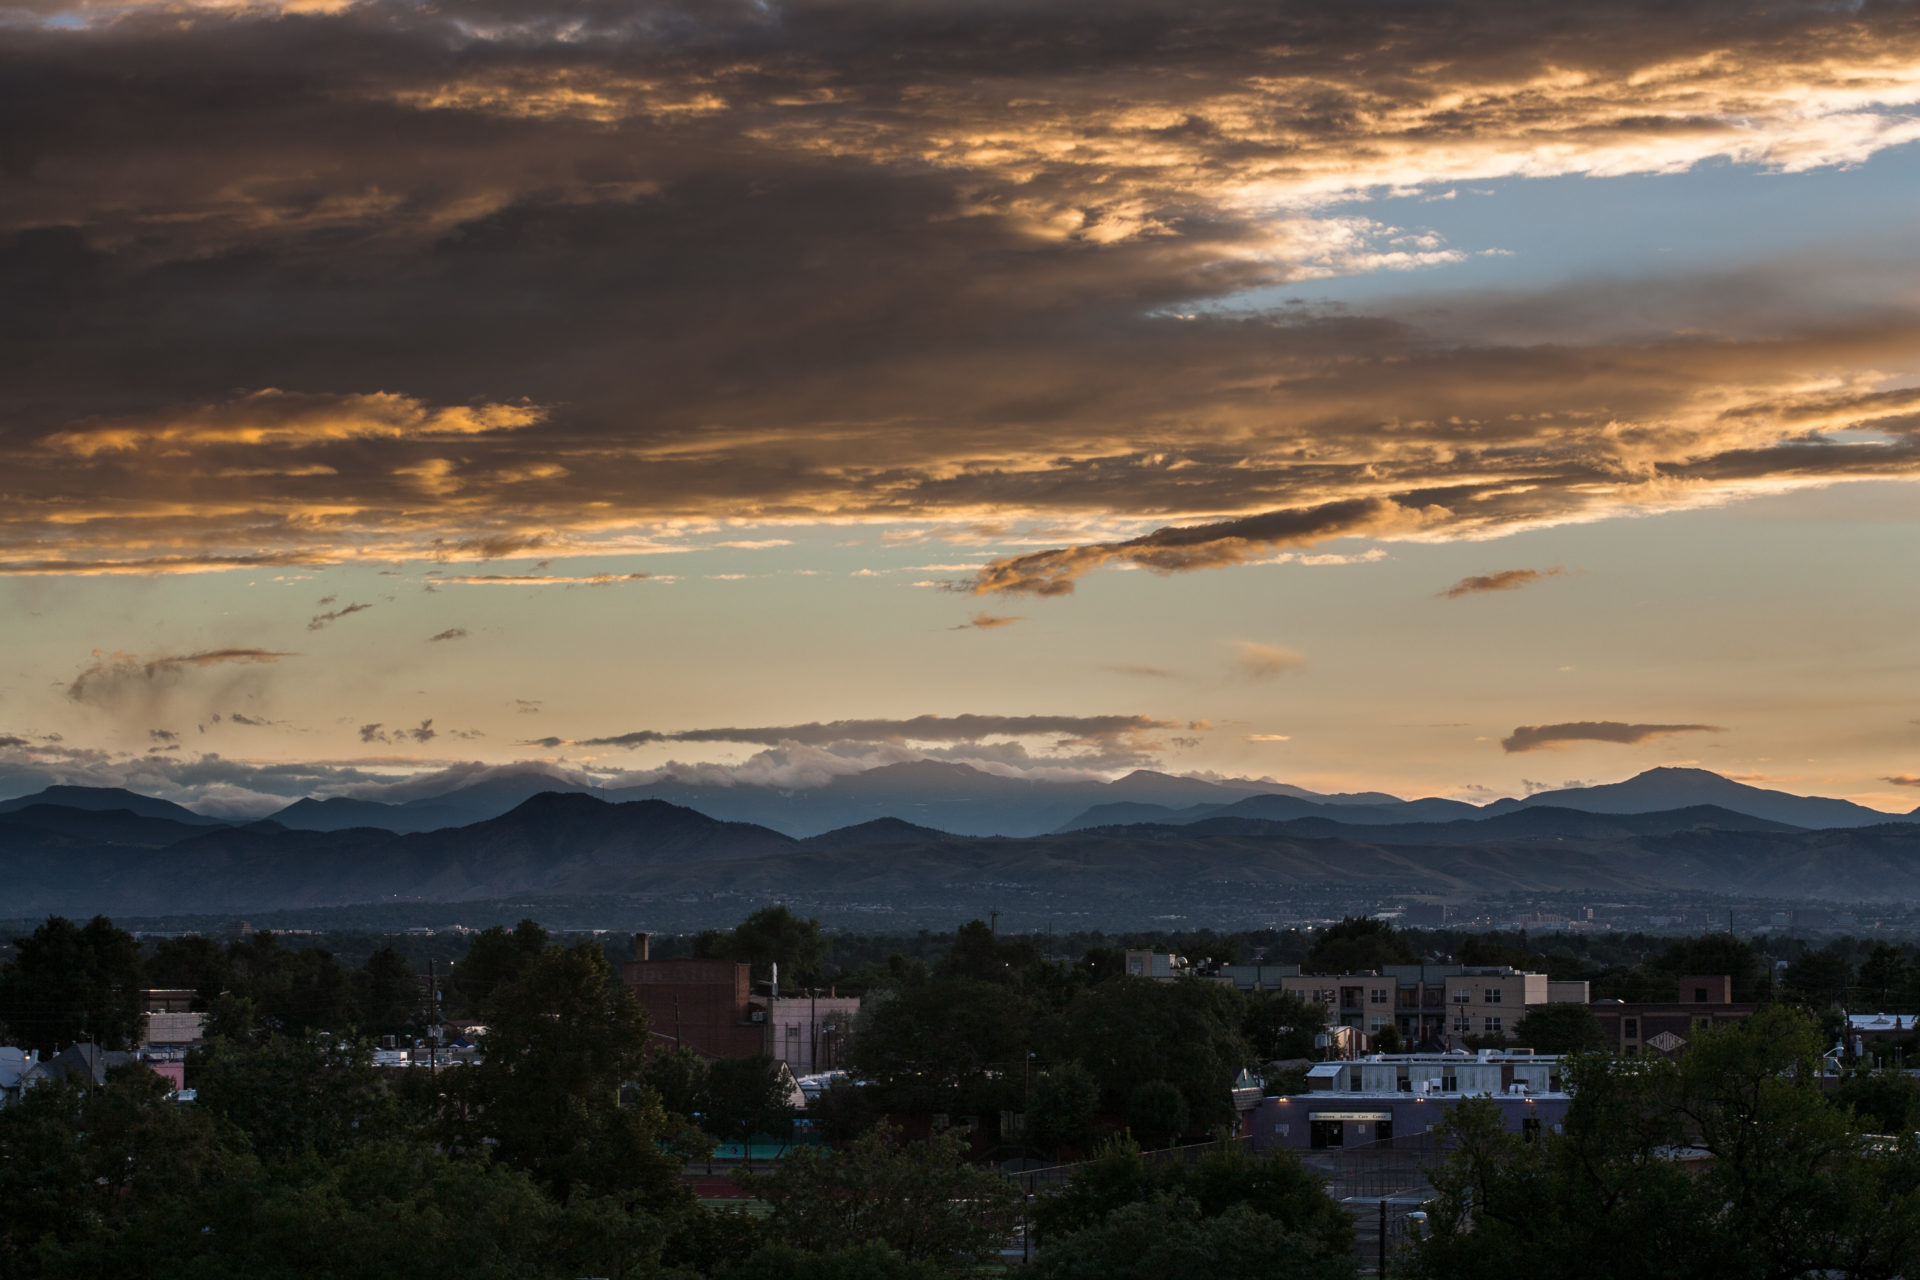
x=76, y=855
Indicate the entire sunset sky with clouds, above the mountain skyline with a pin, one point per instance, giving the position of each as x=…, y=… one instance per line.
x=1433, y=398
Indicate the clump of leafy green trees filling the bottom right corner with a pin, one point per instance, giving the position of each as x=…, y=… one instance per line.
x=1735, y=1160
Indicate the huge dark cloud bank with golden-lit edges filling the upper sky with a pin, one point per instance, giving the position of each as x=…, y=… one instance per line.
x=485, y=279
